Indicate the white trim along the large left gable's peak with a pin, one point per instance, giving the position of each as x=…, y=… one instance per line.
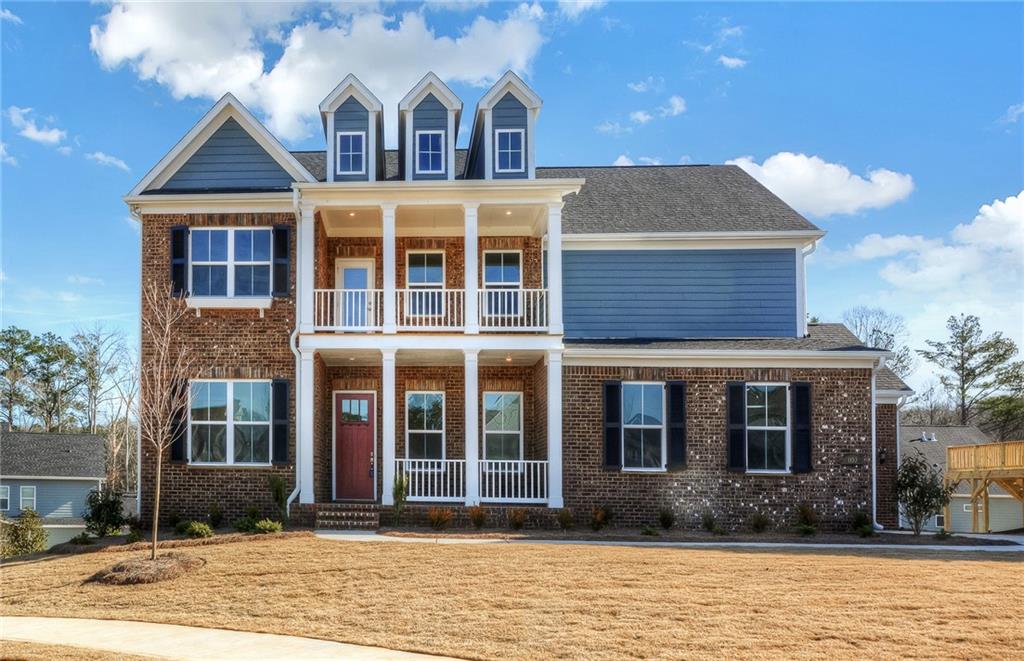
x=228, y=108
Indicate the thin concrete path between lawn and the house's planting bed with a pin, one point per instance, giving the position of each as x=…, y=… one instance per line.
x=348, y=536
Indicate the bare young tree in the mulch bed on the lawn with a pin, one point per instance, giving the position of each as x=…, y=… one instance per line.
x=167, y=367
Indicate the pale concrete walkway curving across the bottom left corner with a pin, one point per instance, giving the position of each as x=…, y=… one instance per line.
x=189, y=643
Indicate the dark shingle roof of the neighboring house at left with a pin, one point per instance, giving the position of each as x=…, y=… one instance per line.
x=45, y=455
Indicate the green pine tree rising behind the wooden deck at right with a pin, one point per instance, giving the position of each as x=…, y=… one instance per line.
x=974, y=367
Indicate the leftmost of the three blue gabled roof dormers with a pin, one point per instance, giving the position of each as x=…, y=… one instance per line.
x=354, y=125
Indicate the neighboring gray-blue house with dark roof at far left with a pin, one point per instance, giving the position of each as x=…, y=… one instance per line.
x=52, y=474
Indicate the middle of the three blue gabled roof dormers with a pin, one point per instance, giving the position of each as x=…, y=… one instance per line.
x=429, y=127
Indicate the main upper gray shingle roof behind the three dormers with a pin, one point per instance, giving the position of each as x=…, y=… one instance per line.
x=647, y=199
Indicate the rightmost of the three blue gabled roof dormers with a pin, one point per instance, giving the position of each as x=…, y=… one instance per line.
x=502, y=144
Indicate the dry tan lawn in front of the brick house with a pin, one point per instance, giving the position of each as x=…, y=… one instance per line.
x=532, y=601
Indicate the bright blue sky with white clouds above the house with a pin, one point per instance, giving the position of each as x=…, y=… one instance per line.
x=897, y=128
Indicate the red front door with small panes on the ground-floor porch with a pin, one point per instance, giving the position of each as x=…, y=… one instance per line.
x=354, y=447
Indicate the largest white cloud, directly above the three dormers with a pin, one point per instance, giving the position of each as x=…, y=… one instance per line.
x=203, y=51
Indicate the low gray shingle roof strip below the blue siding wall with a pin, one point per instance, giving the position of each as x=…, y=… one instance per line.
x=821, y=337
